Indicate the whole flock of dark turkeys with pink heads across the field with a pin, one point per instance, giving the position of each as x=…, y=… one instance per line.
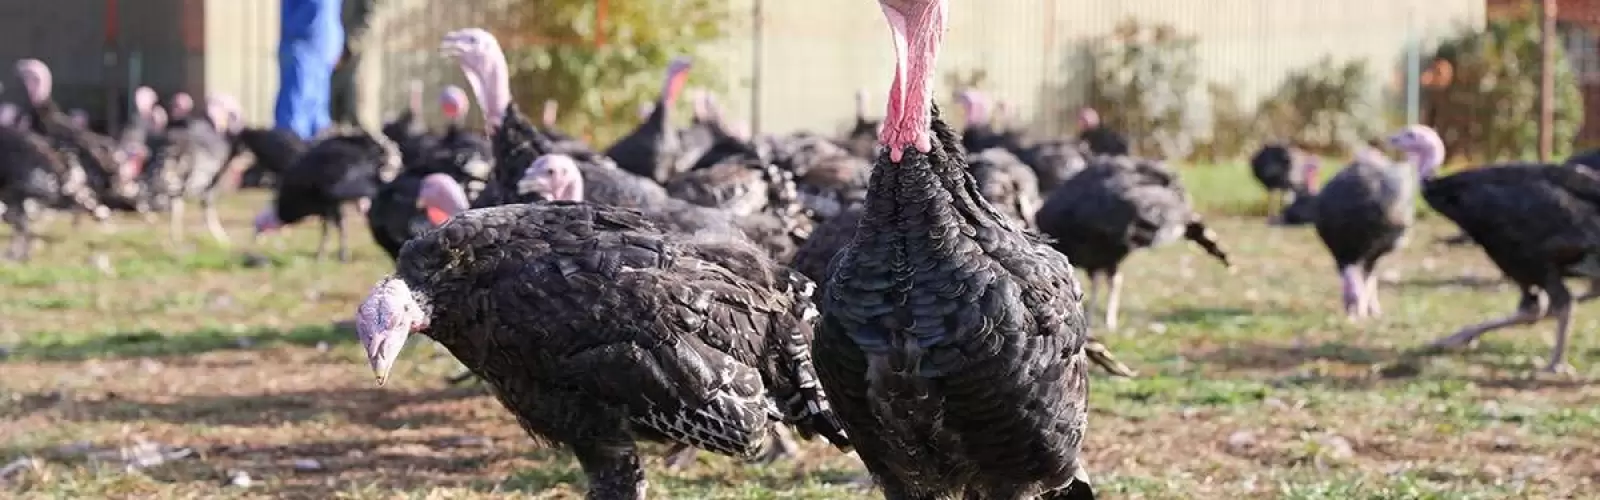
x=906, y=291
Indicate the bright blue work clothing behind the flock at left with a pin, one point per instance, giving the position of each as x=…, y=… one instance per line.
x=310, y=46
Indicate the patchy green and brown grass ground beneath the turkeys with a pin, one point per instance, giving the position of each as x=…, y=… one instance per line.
x=1252, y=385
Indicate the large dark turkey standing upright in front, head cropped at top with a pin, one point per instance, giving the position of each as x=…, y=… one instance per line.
x=953, y=342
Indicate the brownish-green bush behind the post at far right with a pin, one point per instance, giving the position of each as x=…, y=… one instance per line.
x=1490, y=107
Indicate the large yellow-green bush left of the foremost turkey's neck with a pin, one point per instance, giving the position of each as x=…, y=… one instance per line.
x=601, y=86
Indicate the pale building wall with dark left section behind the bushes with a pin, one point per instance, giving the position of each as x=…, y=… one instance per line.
x=814, y=55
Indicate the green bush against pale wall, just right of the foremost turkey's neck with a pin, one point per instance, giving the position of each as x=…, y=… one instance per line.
x=1142, y=83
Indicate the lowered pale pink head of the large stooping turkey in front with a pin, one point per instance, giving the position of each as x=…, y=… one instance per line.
x=385, y=321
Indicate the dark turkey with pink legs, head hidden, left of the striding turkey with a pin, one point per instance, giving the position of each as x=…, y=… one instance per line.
x=1364, y=212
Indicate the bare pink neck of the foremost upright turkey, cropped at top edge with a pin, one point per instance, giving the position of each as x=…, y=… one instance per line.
x=918, y=28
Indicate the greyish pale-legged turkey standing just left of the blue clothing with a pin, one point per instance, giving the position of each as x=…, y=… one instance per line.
x=191, y=161
